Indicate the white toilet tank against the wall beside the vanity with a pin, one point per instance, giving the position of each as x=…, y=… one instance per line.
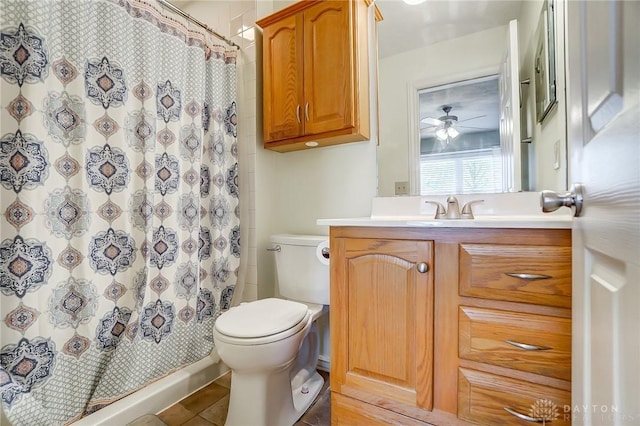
x=303, y=274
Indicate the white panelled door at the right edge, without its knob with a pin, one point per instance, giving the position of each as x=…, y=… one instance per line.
x=603, y=48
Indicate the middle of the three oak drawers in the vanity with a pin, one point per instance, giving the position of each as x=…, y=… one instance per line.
x=538, y=344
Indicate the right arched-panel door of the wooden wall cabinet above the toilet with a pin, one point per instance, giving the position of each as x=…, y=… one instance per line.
x=329, y=67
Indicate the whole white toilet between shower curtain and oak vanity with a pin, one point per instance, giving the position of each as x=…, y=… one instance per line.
x=272, y=345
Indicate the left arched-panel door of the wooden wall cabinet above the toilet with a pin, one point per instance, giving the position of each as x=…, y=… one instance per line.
x=282, y=79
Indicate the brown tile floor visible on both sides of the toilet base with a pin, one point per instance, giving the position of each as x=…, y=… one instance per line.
x=208, y=407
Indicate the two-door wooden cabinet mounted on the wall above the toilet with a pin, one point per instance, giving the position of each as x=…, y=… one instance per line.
x=316, y=74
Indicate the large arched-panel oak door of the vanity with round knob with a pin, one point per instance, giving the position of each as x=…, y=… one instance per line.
x=382, y=322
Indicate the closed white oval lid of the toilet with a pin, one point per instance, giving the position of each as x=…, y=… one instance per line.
x=261, y=318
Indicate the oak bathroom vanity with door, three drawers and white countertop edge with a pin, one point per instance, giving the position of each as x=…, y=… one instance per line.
x=440, y=322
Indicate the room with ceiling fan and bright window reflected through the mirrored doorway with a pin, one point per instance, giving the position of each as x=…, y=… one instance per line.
x=459, y=138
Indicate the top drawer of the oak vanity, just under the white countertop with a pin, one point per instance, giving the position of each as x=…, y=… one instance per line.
x=517, y=273
